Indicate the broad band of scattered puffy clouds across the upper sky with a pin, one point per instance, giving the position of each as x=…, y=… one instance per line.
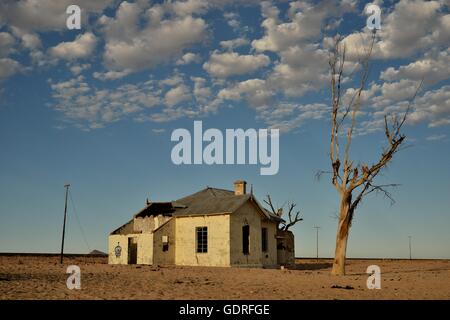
x=160, y=62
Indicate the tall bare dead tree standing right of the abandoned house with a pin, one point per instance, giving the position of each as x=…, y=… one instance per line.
x=354, y=181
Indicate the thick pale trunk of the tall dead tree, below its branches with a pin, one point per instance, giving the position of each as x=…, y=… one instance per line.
x=342, y=235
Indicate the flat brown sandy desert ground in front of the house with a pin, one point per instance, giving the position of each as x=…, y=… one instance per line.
x=29, y=277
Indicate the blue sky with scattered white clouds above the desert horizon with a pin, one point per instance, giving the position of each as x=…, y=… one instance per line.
x=96, y=107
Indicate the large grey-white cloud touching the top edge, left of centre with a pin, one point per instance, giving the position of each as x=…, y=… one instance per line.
x=128, y=46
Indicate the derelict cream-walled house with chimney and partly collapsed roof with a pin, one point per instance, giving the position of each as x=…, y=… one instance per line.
x=213, y=227
